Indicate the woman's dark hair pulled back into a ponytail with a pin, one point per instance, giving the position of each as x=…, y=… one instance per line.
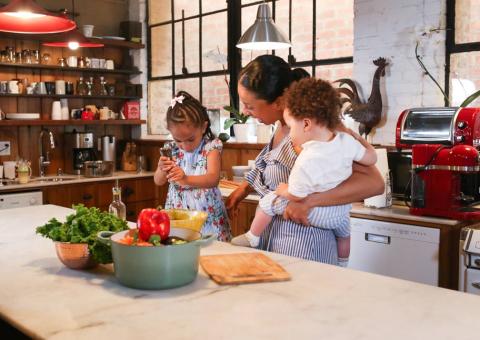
x=268, y=76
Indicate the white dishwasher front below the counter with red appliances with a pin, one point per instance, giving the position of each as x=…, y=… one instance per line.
x=399, y=250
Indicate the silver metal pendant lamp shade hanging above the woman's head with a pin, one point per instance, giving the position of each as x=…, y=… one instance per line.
x=263, y=34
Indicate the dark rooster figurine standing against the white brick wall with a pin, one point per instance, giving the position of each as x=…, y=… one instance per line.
x=367, y=114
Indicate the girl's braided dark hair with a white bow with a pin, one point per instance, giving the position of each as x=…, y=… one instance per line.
x=189, y=111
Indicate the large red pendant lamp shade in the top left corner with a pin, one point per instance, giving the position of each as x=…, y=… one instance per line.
x=26, y=16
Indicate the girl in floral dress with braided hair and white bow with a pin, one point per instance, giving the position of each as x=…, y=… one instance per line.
x=194, y=169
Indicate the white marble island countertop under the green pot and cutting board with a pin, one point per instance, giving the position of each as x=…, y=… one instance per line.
x=45, y=299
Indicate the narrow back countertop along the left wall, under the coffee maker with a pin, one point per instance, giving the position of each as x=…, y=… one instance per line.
x=37, y=182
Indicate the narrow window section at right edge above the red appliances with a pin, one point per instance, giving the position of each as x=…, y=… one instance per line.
x=463, y=50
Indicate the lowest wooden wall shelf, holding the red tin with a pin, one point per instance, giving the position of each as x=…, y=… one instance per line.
x=39, y=122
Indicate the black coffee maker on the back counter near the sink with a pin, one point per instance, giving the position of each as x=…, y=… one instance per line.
x=79, y=147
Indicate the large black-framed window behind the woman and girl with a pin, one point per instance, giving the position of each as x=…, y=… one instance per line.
x=207, y=29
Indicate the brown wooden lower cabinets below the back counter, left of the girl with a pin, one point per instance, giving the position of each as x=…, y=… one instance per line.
x=137, y=194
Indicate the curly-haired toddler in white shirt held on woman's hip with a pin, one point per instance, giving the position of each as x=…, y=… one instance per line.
x=312, y=112
